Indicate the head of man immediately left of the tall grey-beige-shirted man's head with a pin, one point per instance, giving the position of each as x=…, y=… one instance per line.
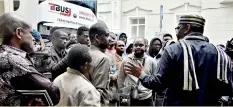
x=83, y=35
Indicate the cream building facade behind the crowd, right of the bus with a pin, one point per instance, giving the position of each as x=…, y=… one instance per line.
x=218, y=16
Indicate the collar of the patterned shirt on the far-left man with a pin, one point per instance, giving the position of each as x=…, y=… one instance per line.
x=14, y=50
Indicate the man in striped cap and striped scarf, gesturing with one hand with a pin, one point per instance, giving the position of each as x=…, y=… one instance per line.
x=195, y=72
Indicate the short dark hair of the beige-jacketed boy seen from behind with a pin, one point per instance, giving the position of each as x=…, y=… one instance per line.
x=78, y=56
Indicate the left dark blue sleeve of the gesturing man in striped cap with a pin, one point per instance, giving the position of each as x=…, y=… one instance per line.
x=159, y=80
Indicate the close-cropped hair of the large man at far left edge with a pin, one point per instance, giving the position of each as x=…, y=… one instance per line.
x=9, y=22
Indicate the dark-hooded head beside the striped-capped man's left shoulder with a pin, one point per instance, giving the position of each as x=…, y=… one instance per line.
x=155, y=46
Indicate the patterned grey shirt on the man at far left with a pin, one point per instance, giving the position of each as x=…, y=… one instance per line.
x=13, y=63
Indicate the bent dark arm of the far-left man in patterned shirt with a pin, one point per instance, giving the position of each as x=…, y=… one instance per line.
x=36, y=81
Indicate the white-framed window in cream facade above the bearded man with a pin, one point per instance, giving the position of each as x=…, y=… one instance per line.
x=137, y=27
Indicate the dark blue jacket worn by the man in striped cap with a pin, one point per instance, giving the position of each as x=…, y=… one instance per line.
x=170, y=75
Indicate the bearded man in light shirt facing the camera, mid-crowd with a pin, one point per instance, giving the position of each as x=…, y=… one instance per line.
x=144, y=96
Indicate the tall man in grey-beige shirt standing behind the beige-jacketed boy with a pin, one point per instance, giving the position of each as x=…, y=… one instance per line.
x=100, y=65
